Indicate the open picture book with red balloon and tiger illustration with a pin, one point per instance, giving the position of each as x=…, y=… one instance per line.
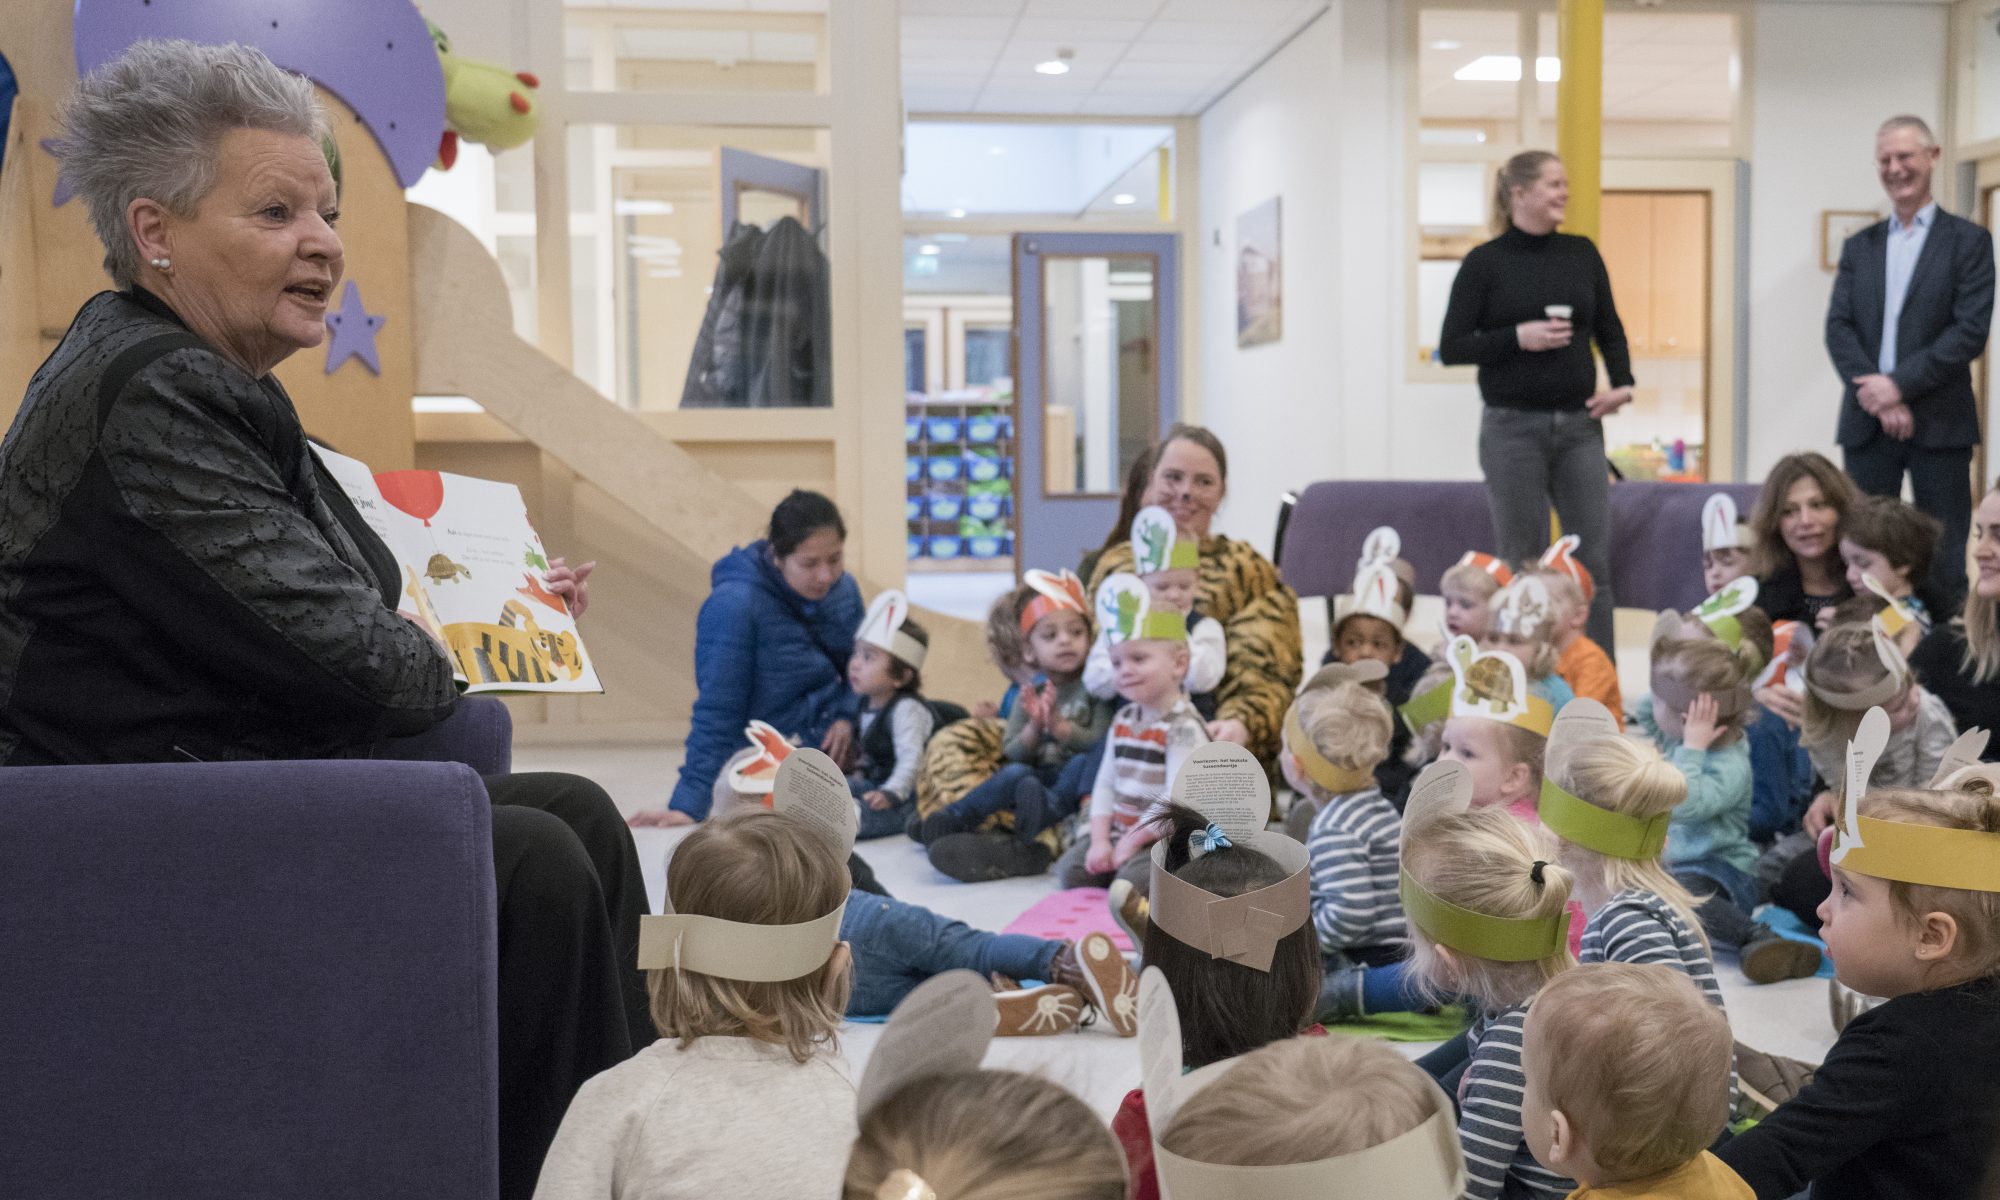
x=473, y=577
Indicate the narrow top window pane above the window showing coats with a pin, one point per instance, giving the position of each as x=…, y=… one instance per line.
x=695, y=49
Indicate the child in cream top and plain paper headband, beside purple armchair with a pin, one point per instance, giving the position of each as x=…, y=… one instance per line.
x=747, y=1013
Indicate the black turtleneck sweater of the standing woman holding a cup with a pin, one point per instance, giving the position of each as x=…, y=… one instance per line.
x=1515, y=279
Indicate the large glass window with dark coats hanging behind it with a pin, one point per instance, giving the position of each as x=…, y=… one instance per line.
x=649, y=215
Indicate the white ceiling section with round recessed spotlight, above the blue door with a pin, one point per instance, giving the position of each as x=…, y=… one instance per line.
x=1133, y=57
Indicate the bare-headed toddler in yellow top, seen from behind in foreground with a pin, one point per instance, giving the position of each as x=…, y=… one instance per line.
x=1629, y=1085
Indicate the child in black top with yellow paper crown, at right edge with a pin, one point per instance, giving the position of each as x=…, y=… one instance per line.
x=1905, y=1105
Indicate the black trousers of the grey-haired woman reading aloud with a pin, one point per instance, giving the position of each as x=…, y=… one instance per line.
x=573, y=1001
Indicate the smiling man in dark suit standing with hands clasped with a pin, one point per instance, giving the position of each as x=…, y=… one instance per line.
x=1913, y=305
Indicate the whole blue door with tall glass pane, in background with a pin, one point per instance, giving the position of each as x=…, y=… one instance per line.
x=1097, y=381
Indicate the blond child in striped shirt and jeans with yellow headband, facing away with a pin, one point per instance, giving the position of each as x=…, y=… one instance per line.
x=1333, y=741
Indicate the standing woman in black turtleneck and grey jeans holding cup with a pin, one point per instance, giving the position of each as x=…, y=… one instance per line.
x=1517, y=311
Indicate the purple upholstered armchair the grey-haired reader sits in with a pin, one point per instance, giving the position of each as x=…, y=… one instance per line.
x=255, y=979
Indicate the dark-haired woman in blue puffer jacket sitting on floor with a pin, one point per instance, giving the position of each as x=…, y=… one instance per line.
x=771, y=645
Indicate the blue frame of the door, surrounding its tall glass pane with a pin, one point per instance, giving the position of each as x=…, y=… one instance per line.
x=1055, y=531
